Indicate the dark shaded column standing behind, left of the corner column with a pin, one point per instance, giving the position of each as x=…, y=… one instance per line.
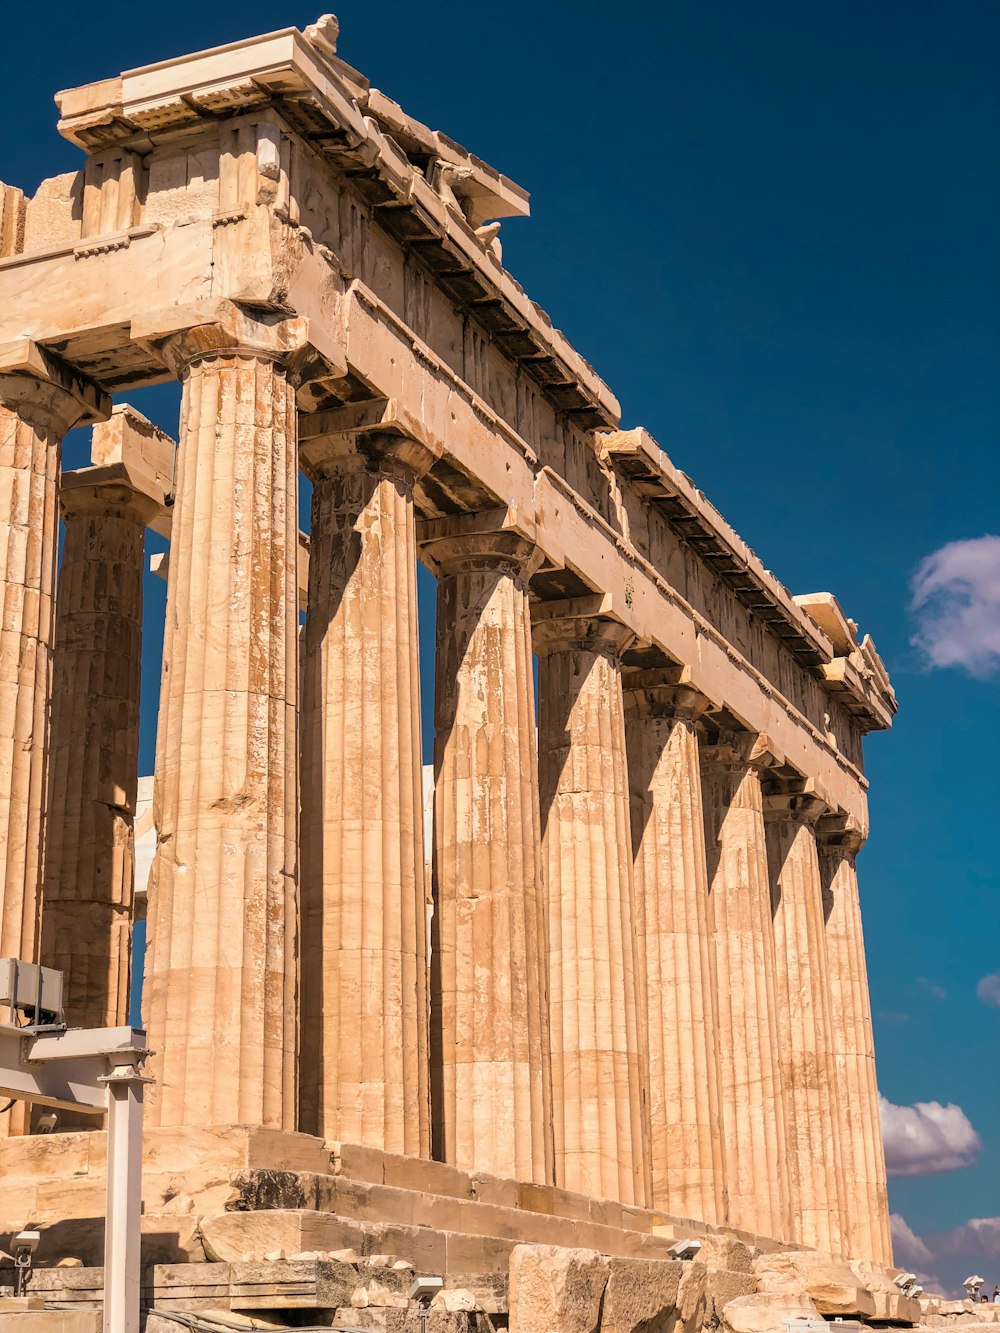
x=89, y=882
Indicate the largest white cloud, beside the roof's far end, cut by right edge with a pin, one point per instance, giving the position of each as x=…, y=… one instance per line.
x=957, y=605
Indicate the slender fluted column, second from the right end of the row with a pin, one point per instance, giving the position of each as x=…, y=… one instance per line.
x=805, y=1028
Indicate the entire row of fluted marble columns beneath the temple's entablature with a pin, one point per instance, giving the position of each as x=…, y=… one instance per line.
x=635, y=991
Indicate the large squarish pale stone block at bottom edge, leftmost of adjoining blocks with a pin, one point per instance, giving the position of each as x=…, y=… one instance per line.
x=557, y=1290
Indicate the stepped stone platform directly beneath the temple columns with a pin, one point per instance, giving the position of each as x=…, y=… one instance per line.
x=58, y=1183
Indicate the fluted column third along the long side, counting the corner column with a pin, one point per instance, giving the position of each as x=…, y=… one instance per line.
x=490, y=1016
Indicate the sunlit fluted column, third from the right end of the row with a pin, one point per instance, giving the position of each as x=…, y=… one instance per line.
x=757, y=1171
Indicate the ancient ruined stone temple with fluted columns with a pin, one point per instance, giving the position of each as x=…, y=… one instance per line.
x=639, y=1012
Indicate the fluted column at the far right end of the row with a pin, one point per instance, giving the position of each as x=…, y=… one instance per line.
x=866, y=1222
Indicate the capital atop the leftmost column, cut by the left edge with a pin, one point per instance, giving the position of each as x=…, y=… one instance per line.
x=43, y=390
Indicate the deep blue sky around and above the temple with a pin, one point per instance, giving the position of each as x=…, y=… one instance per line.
x=774, y=231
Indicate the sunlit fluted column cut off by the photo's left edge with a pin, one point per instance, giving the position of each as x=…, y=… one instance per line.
x=38, y=406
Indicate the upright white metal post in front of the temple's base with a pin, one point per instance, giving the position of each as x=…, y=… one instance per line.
x=125, y=1211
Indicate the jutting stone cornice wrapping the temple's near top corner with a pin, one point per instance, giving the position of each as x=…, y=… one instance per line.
x=285, y=70
